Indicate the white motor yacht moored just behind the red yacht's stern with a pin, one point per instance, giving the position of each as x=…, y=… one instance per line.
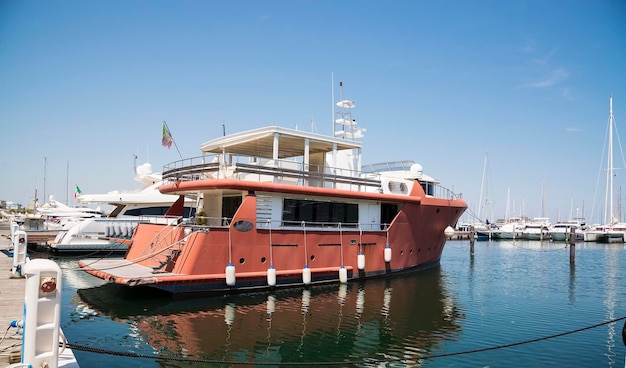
x=112, y=233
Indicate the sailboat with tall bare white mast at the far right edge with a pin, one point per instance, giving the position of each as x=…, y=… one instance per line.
x=613, y=231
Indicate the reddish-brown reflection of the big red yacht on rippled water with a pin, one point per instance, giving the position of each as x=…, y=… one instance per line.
x=404, y=316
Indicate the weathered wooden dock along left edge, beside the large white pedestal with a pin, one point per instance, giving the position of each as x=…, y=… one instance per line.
x=12, y=291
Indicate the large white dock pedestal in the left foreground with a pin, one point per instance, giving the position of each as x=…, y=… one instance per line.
x=42, y=313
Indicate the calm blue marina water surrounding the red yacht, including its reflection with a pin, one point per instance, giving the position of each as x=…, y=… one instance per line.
x=506, y=294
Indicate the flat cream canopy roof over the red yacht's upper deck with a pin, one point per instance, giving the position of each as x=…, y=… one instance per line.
x=291, y=143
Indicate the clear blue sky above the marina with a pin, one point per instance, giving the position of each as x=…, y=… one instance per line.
x=521, y=85
